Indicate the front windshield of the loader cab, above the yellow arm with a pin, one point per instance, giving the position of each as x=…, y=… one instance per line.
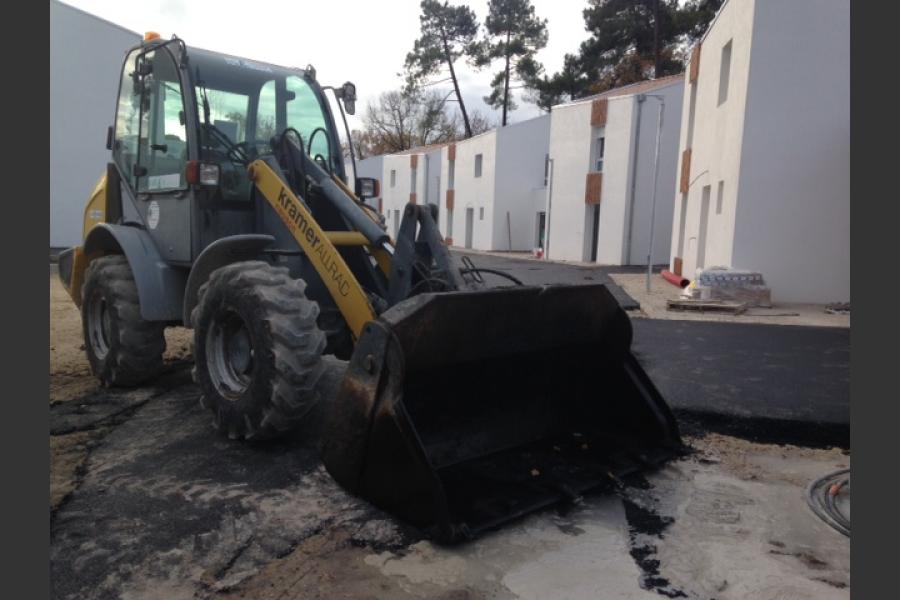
x=249, y=102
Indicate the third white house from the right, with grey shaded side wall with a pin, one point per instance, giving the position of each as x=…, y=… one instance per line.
x=494, y=187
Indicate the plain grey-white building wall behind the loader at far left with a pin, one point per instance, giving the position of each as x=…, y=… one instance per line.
x=86, y=57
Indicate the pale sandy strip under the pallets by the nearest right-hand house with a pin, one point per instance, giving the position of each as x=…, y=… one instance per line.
x=653, y=305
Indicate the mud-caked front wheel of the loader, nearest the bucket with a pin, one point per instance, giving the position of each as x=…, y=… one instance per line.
x=257, y=350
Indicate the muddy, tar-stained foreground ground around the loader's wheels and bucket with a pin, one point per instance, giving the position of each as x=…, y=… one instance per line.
x=148, y=502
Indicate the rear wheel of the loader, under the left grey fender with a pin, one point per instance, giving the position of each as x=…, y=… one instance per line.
x=122, y=348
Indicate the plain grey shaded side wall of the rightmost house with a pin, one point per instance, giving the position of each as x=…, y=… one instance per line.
x=793, y=220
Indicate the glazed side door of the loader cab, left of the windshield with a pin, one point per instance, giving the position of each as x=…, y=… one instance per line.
x=150, y=148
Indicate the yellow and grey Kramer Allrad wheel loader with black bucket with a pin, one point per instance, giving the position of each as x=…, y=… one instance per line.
x=225, y=208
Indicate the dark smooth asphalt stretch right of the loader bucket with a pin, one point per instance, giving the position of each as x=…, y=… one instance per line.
x=767, y=383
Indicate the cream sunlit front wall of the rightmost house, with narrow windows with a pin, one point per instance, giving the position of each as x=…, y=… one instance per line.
x=715, y=139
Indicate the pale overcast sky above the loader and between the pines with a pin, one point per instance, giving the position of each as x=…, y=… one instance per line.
x=364, y=41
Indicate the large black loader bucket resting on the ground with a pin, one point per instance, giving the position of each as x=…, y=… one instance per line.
x=460, y=411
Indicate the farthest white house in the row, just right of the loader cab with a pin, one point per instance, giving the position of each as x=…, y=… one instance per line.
x=410, y=176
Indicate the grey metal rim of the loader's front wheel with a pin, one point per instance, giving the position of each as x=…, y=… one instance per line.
x=229, y=355
